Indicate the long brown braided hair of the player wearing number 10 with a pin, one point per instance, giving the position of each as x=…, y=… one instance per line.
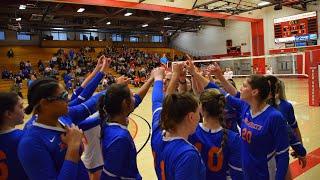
x=213, y=103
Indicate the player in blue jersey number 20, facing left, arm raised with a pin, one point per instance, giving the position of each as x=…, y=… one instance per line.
x=265, y=143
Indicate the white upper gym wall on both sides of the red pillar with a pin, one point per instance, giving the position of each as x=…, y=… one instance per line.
x=212, y=40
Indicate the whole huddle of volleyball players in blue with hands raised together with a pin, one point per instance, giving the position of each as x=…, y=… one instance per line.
x=202, y=128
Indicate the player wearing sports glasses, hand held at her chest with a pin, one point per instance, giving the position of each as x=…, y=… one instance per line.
x=48, y=150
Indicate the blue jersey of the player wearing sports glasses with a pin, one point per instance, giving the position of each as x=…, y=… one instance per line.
x=42, y=155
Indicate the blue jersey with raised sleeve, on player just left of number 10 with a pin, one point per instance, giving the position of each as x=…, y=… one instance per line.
x=174, y=158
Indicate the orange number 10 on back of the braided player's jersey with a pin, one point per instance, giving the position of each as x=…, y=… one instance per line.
x=212, y=166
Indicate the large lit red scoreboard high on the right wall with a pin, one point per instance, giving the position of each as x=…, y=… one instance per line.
x=300, y=29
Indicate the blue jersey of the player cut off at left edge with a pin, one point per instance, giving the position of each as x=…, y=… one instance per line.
x=10, y=166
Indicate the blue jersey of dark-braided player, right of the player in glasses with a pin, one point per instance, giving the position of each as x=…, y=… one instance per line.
x=119, y=153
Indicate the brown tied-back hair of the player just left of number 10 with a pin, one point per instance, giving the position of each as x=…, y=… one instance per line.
x=175, y=107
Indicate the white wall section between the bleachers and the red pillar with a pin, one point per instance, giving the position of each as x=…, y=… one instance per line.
x=212, y=39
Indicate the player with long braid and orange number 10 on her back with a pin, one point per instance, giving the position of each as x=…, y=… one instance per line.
x=218, y=146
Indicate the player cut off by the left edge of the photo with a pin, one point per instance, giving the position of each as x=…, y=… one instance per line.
x=11, y=114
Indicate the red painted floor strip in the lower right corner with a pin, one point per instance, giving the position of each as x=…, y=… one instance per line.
x=313, y=159
